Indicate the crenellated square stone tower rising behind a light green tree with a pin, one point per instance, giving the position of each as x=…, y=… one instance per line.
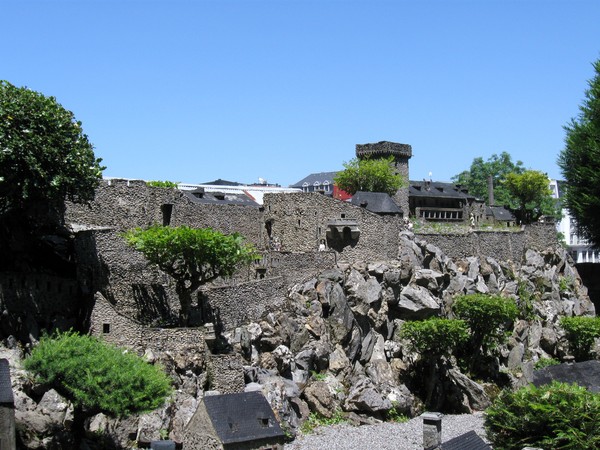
x=401, y=154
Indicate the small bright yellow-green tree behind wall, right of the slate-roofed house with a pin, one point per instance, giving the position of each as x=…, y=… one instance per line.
x=531, y=195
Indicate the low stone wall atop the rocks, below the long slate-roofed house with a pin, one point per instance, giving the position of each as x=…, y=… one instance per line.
x=501, y=245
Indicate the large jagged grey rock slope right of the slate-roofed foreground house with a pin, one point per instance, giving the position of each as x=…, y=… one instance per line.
x=336, y=336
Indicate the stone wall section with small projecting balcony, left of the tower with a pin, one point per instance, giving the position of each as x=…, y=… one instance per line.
x=299, y=222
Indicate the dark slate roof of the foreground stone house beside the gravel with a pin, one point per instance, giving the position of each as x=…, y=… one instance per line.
x=241, y=417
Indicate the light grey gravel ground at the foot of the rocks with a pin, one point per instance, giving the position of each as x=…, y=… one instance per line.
x=392, y=436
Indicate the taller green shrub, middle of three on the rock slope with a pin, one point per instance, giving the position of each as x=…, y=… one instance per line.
x=488, y=317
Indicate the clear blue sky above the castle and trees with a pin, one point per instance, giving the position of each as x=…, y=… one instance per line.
x=197, y=90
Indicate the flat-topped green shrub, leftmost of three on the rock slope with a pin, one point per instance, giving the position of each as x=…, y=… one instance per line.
x=434, y=337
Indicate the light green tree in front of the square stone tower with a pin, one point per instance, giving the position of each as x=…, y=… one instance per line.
x=370, y=175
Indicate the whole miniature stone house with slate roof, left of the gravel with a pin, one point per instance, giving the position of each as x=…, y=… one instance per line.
x=243, y=421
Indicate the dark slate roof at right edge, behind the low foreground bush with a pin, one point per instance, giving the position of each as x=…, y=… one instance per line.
x=586, y=374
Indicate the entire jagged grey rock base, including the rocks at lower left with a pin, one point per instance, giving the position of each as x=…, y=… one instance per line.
x=332, y=345
